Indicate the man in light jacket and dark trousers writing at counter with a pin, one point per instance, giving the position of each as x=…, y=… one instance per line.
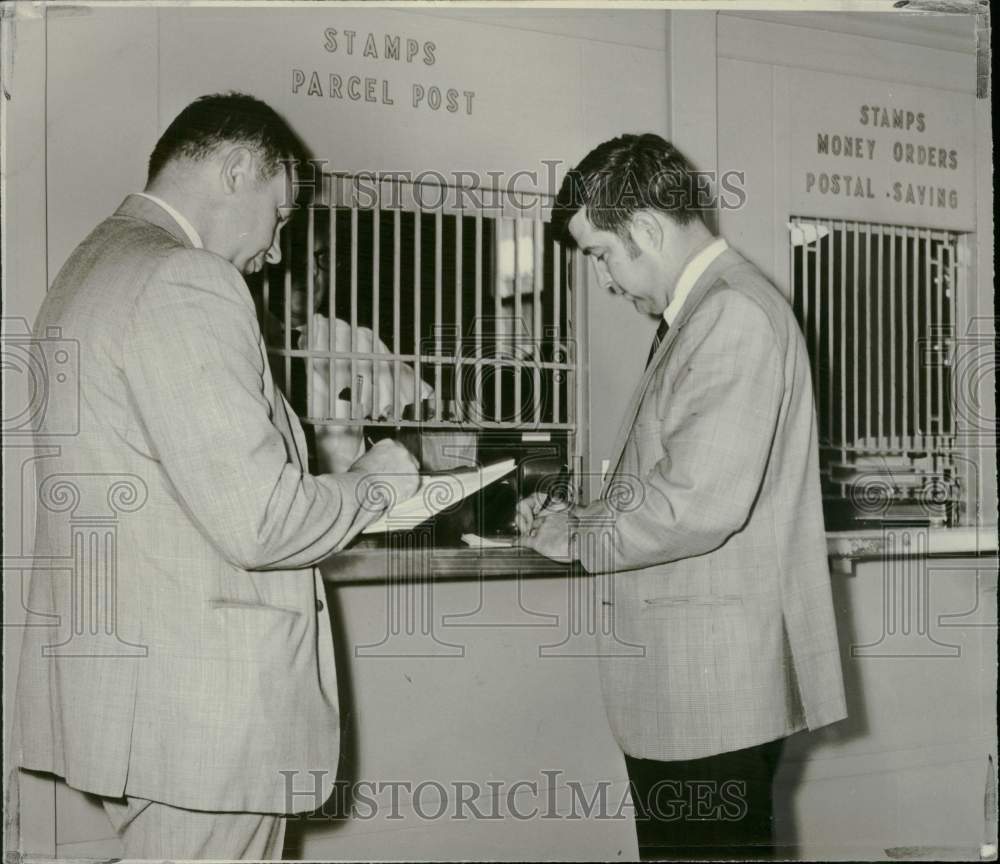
x=710, y=521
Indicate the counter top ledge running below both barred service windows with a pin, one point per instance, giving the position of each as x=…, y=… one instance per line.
x=370, y=562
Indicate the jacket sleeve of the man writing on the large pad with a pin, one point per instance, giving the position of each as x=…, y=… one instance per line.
x=193, y=362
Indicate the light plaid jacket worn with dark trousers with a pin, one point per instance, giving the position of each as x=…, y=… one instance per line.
x=718, y=628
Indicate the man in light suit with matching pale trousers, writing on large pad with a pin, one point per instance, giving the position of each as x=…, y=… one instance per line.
x=184, y=670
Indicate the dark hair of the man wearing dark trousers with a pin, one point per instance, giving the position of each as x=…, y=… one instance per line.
x=623, y=175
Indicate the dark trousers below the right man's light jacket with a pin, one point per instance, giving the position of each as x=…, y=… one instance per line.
x=717, y=808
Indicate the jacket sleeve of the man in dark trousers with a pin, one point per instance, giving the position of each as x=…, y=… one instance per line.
x=718, y=397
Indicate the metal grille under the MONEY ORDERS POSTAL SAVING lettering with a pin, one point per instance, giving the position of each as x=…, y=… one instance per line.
x=876, y=304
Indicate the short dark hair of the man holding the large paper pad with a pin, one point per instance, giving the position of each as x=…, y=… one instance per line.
x=221, y=118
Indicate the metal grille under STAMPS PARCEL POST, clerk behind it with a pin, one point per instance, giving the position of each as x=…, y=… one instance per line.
x=445, y=314
